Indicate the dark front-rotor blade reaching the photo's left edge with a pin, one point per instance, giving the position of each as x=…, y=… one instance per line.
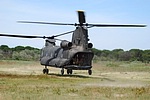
x=22, y=36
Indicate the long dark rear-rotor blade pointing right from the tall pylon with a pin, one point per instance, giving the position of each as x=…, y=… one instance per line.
x=105, y=25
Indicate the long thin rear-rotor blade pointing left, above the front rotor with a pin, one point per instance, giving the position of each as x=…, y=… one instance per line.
x=45, y=23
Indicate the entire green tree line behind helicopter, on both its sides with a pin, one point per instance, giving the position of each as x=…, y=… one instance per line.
x=31, y=53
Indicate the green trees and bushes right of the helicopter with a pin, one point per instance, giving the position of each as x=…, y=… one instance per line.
x=121, y=55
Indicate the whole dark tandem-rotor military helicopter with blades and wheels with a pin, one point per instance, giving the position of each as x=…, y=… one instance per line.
x=74, y=55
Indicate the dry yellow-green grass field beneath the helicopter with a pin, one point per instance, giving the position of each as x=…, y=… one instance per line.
x=23, y=80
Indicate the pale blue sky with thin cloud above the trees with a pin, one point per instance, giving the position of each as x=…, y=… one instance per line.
x=65, y=11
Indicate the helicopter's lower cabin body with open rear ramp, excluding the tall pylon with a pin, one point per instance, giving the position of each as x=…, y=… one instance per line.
x=70, y=58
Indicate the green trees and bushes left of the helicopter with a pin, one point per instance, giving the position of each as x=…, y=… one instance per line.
x=19, y=53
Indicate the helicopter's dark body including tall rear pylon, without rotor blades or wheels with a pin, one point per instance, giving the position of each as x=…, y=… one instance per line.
x=75, y=55
